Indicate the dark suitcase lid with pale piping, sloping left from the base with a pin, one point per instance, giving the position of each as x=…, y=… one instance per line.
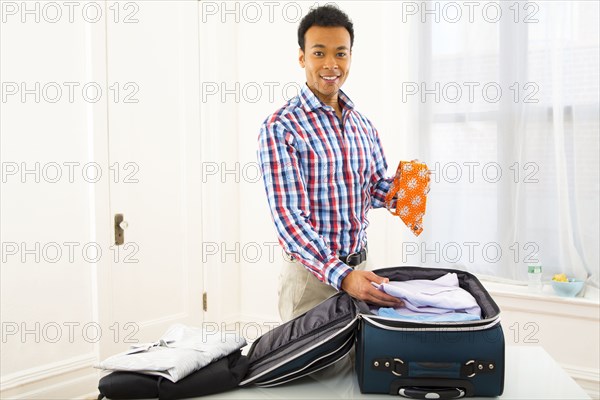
x=307, y=343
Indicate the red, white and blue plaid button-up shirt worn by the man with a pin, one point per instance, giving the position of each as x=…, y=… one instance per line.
x=321, y=180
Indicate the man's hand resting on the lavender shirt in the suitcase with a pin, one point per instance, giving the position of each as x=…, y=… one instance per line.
x=358, y=285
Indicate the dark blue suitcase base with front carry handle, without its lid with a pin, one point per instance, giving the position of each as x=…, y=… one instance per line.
x=432, y=360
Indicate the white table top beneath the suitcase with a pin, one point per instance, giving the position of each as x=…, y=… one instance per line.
x=530, y=373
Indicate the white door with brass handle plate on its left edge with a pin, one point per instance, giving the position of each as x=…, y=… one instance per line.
x=155, y=279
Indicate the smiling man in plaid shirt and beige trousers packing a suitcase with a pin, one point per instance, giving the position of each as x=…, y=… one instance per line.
x=323, y=169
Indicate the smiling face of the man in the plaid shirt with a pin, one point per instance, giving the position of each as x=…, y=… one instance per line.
x=326, y=59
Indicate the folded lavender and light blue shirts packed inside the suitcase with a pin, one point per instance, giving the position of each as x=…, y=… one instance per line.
x=439, y=296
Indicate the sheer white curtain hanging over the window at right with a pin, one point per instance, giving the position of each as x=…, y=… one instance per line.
x=509, y=121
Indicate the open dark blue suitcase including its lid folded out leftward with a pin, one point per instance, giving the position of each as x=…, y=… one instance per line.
x=411, y=359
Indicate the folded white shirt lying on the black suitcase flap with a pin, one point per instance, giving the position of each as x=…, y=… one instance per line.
x=179, y=352
